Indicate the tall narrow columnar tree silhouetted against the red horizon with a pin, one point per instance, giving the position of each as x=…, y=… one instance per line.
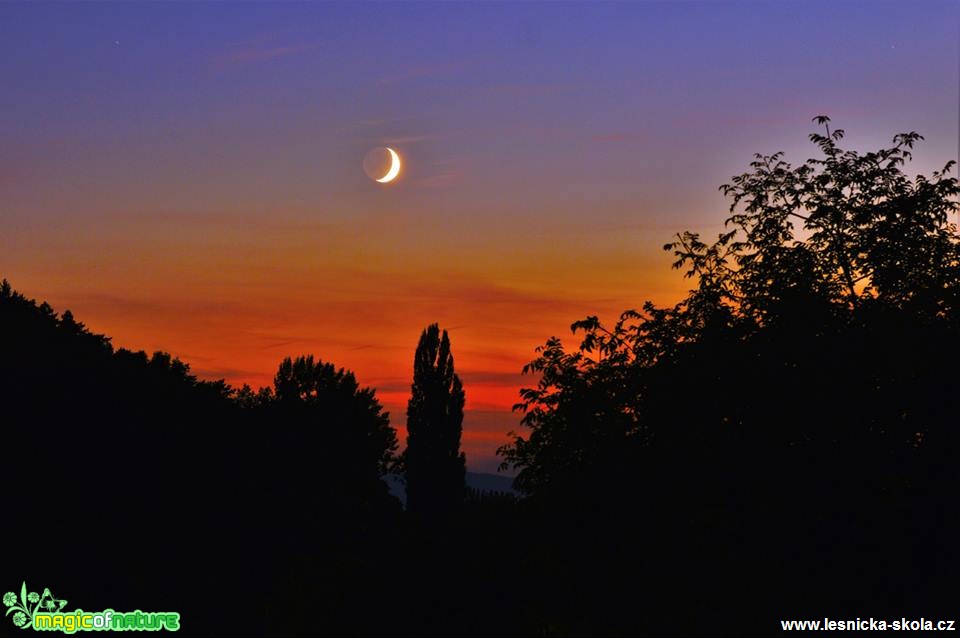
x=435, y=466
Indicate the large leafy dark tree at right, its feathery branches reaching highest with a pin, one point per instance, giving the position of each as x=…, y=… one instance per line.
x=791, y=415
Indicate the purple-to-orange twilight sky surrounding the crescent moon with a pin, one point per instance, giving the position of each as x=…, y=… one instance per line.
x=188, y=177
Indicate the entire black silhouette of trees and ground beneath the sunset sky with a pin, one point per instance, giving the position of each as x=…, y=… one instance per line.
x=781, y=443
